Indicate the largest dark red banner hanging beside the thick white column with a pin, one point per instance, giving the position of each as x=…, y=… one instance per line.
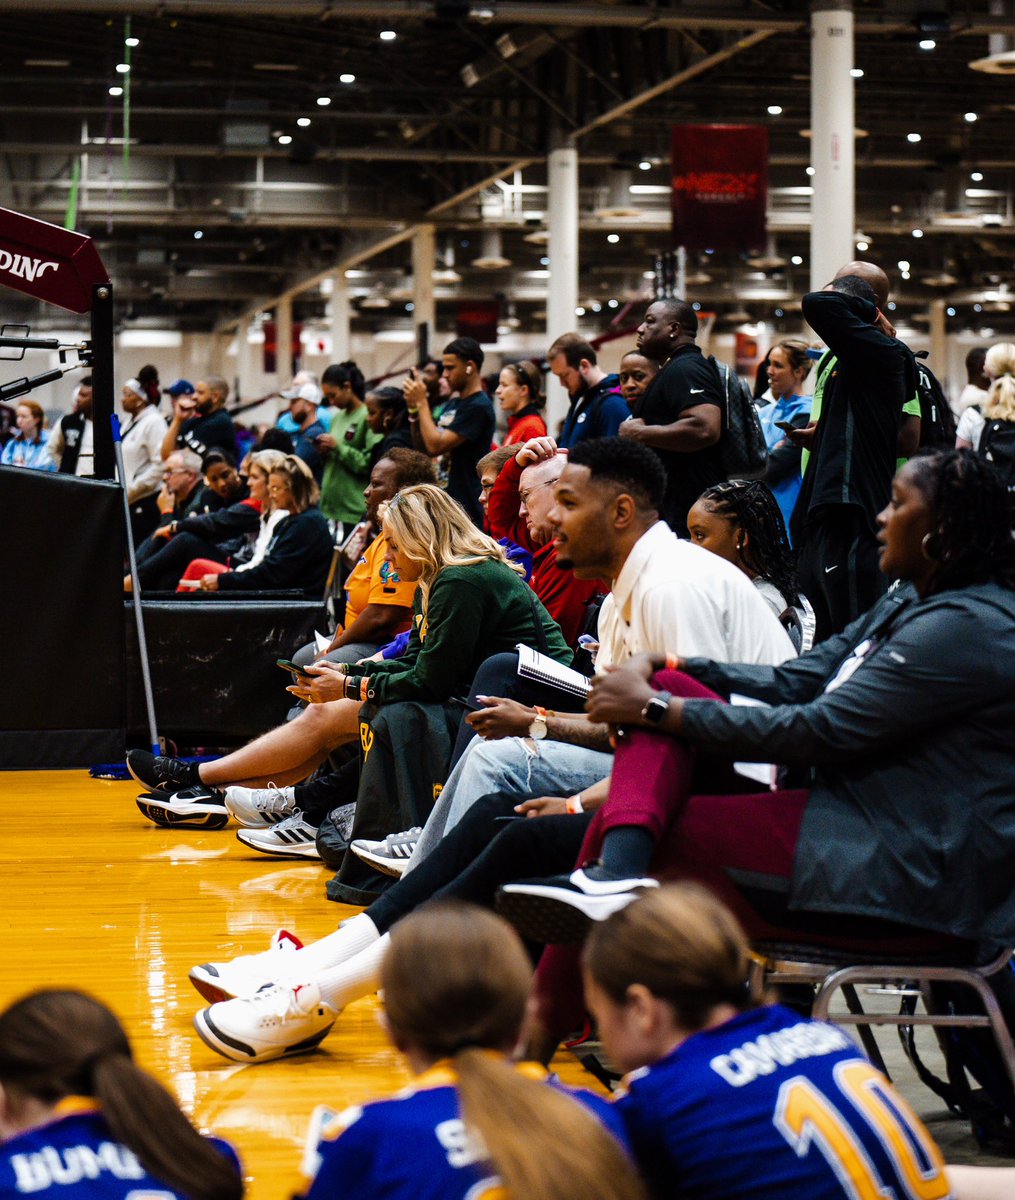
x=720, y=187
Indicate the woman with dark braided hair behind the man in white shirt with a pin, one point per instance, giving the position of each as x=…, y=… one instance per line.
x=741, y=521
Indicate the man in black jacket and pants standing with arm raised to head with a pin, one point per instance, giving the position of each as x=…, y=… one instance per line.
x=852, y=442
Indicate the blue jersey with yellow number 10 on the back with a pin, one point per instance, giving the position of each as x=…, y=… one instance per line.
x=773, y=1107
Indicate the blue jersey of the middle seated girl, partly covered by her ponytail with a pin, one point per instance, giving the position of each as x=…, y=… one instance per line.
x=416, y=1147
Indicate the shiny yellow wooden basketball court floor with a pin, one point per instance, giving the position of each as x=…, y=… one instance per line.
x=98, y=898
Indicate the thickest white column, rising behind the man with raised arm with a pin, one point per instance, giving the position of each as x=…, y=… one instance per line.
x=833, y=221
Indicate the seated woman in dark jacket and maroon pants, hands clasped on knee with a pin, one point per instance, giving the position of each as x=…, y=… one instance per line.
x=902, y=728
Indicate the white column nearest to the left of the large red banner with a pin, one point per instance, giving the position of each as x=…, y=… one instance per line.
x=563, y=253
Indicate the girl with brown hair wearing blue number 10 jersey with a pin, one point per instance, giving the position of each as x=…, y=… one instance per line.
x=732, y=1099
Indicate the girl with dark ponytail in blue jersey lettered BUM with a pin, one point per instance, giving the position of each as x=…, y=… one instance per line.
x=81, y=1121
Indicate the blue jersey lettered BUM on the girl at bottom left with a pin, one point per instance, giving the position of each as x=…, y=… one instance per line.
x=75, y=1157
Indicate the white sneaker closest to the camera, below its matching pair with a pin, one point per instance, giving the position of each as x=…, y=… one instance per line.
x=278, y=1022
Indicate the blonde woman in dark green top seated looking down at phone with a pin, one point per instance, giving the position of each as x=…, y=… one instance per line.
x=471, y=604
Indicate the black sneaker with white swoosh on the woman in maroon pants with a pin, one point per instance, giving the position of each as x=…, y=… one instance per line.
x=561, y=910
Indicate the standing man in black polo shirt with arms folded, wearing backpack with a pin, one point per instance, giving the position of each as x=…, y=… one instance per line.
x=681, y=413
